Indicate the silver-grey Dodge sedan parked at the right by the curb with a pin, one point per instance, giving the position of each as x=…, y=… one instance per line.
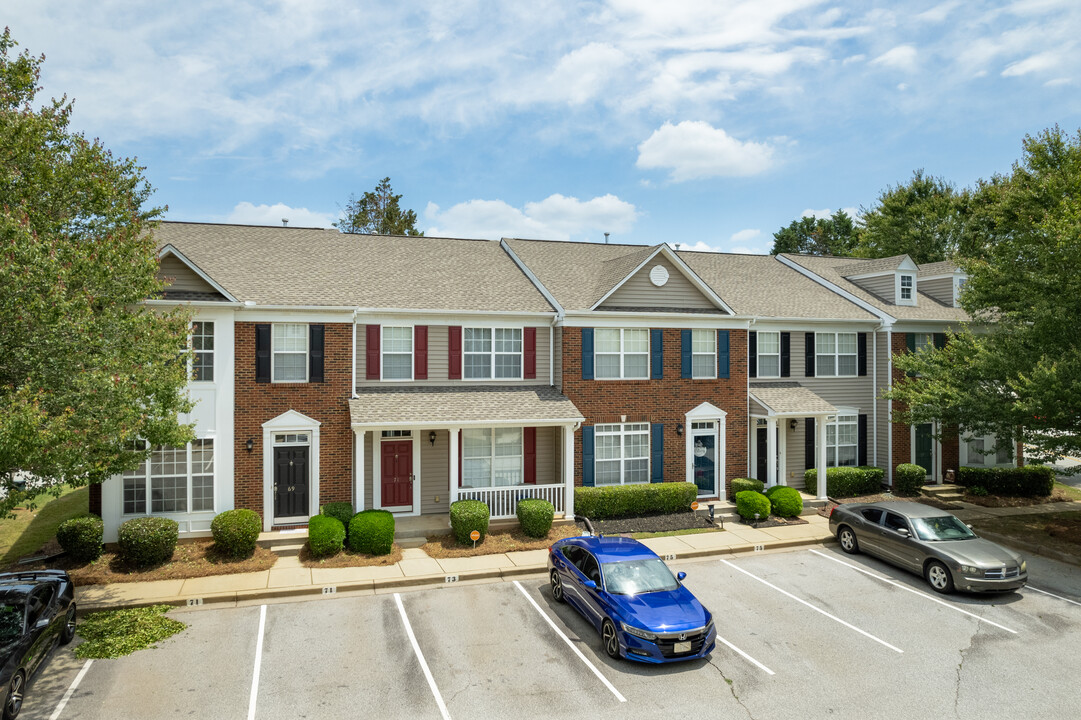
x=929, y=542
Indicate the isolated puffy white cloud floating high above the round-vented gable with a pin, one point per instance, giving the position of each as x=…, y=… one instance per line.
x=696, y=150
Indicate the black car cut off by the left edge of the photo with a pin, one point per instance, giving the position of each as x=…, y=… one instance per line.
x=37, y=611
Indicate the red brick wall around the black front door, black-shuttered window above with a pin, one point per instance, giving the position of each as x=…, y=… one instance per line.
x=327, y=403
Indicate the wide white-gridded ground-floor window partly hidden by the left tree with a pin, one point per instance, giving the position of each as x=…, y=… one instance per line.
x=175, y=479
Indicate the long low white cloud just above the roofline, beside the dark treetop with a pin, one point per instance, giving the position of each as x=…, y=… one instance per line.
x=556, y=218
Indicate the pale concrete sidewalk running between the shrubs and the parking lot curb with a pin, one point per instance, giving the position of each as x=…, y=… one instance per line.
x=289, y=581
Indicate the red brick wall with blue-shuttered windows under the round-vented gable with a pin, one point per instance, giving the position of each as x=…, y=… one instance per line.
x=665, y=402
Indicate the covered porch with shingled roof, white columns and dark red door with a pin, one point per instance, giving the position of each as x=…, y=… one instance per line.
x=418, y=450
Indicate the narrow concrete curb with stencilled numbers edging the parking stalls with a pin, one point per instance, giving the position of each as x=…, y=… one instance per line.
x=299, y=593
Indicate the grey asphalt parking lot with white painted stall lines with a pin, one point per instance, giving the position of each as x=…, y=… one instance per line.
x=808, y=633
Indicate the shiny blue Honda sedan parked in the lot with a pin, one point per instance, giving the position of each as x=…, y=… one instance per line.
x=640, y=609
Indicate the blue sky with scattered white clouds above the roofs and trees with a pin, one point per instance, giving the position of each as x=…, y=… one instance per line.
x=710, y=124
